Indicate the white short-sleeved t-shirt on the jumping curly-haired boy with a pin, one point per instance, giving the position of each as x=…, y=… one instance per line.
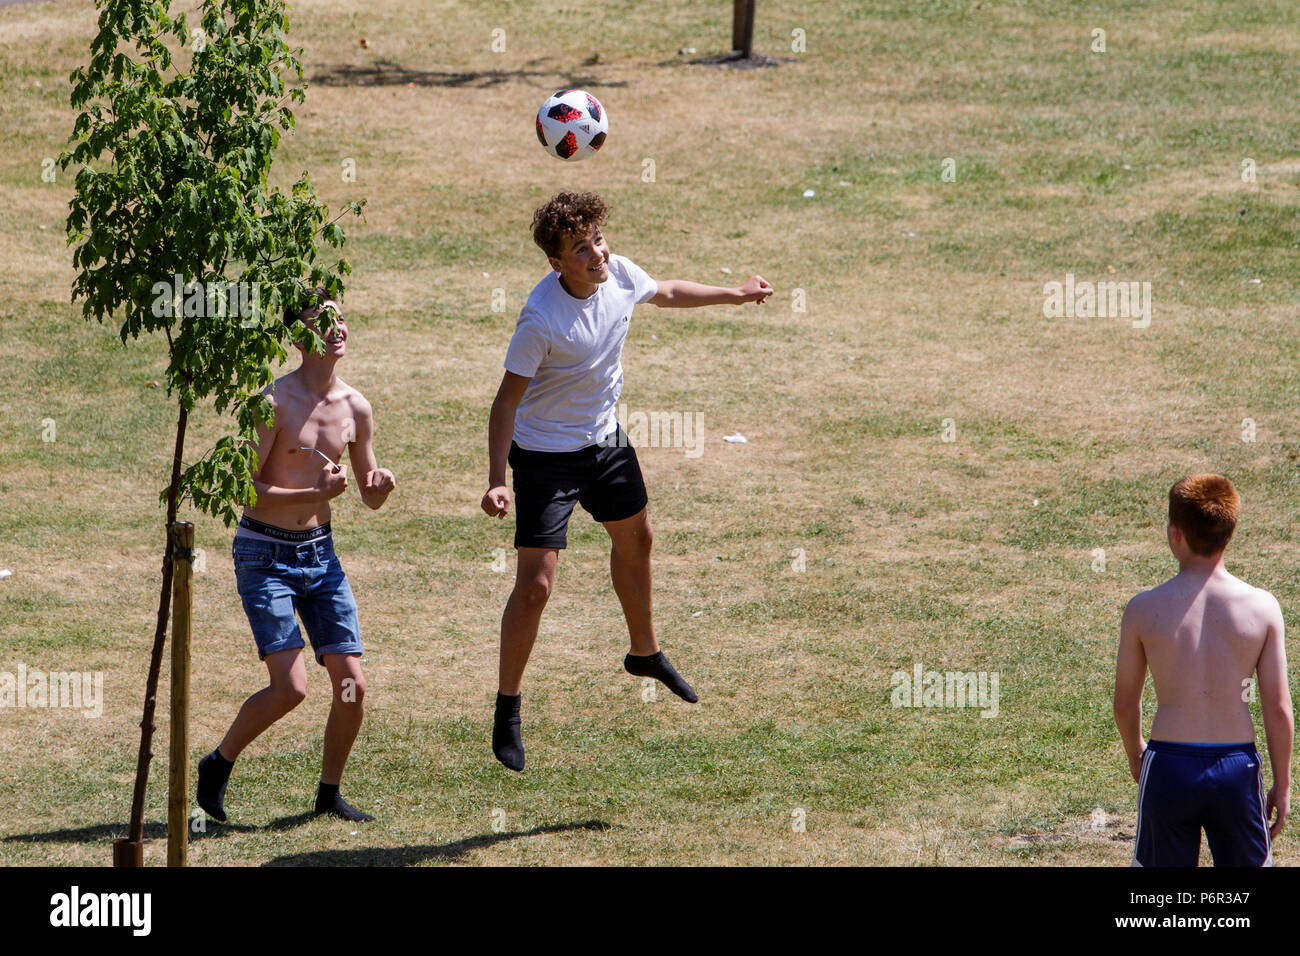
x=573, y=351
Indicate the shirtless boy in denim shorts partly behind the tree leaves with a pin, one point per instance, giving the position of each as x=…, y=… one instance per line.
x=284, y=556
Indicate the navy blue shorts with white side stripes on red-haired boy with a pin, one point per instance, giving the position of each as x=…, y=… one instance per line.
x=1189, y=788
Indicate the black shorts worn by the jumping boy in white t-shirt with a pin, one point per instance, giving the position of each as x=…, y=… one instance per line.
x=605, y=479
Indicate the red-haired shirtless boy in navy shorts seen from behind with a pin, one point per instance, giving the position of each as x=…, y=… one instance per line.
x=1204, y=634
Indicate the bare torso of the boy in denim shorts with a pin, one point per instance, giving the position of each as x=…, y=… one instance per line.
x=302, y=419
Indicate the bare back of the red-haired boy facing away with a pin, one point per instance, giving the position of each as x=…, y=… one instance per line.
x=1203, y=638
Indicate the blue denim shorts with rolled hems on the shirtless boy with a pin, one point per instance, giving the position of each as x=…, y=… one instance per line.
x=278, y=579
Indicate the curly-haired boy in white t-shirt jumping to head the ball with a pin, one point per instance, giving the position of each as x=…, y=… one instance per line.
x=554, y=422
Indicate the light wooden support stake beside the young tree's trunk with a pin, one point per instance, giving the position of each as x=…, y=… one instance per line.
x=179, y=780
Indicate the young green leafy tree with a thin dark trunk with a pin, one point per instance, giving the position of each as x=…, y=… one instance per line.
x=172, y=204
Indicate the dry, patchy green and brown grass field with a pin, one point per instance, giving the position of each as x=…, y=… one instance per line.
x=924, y=302
